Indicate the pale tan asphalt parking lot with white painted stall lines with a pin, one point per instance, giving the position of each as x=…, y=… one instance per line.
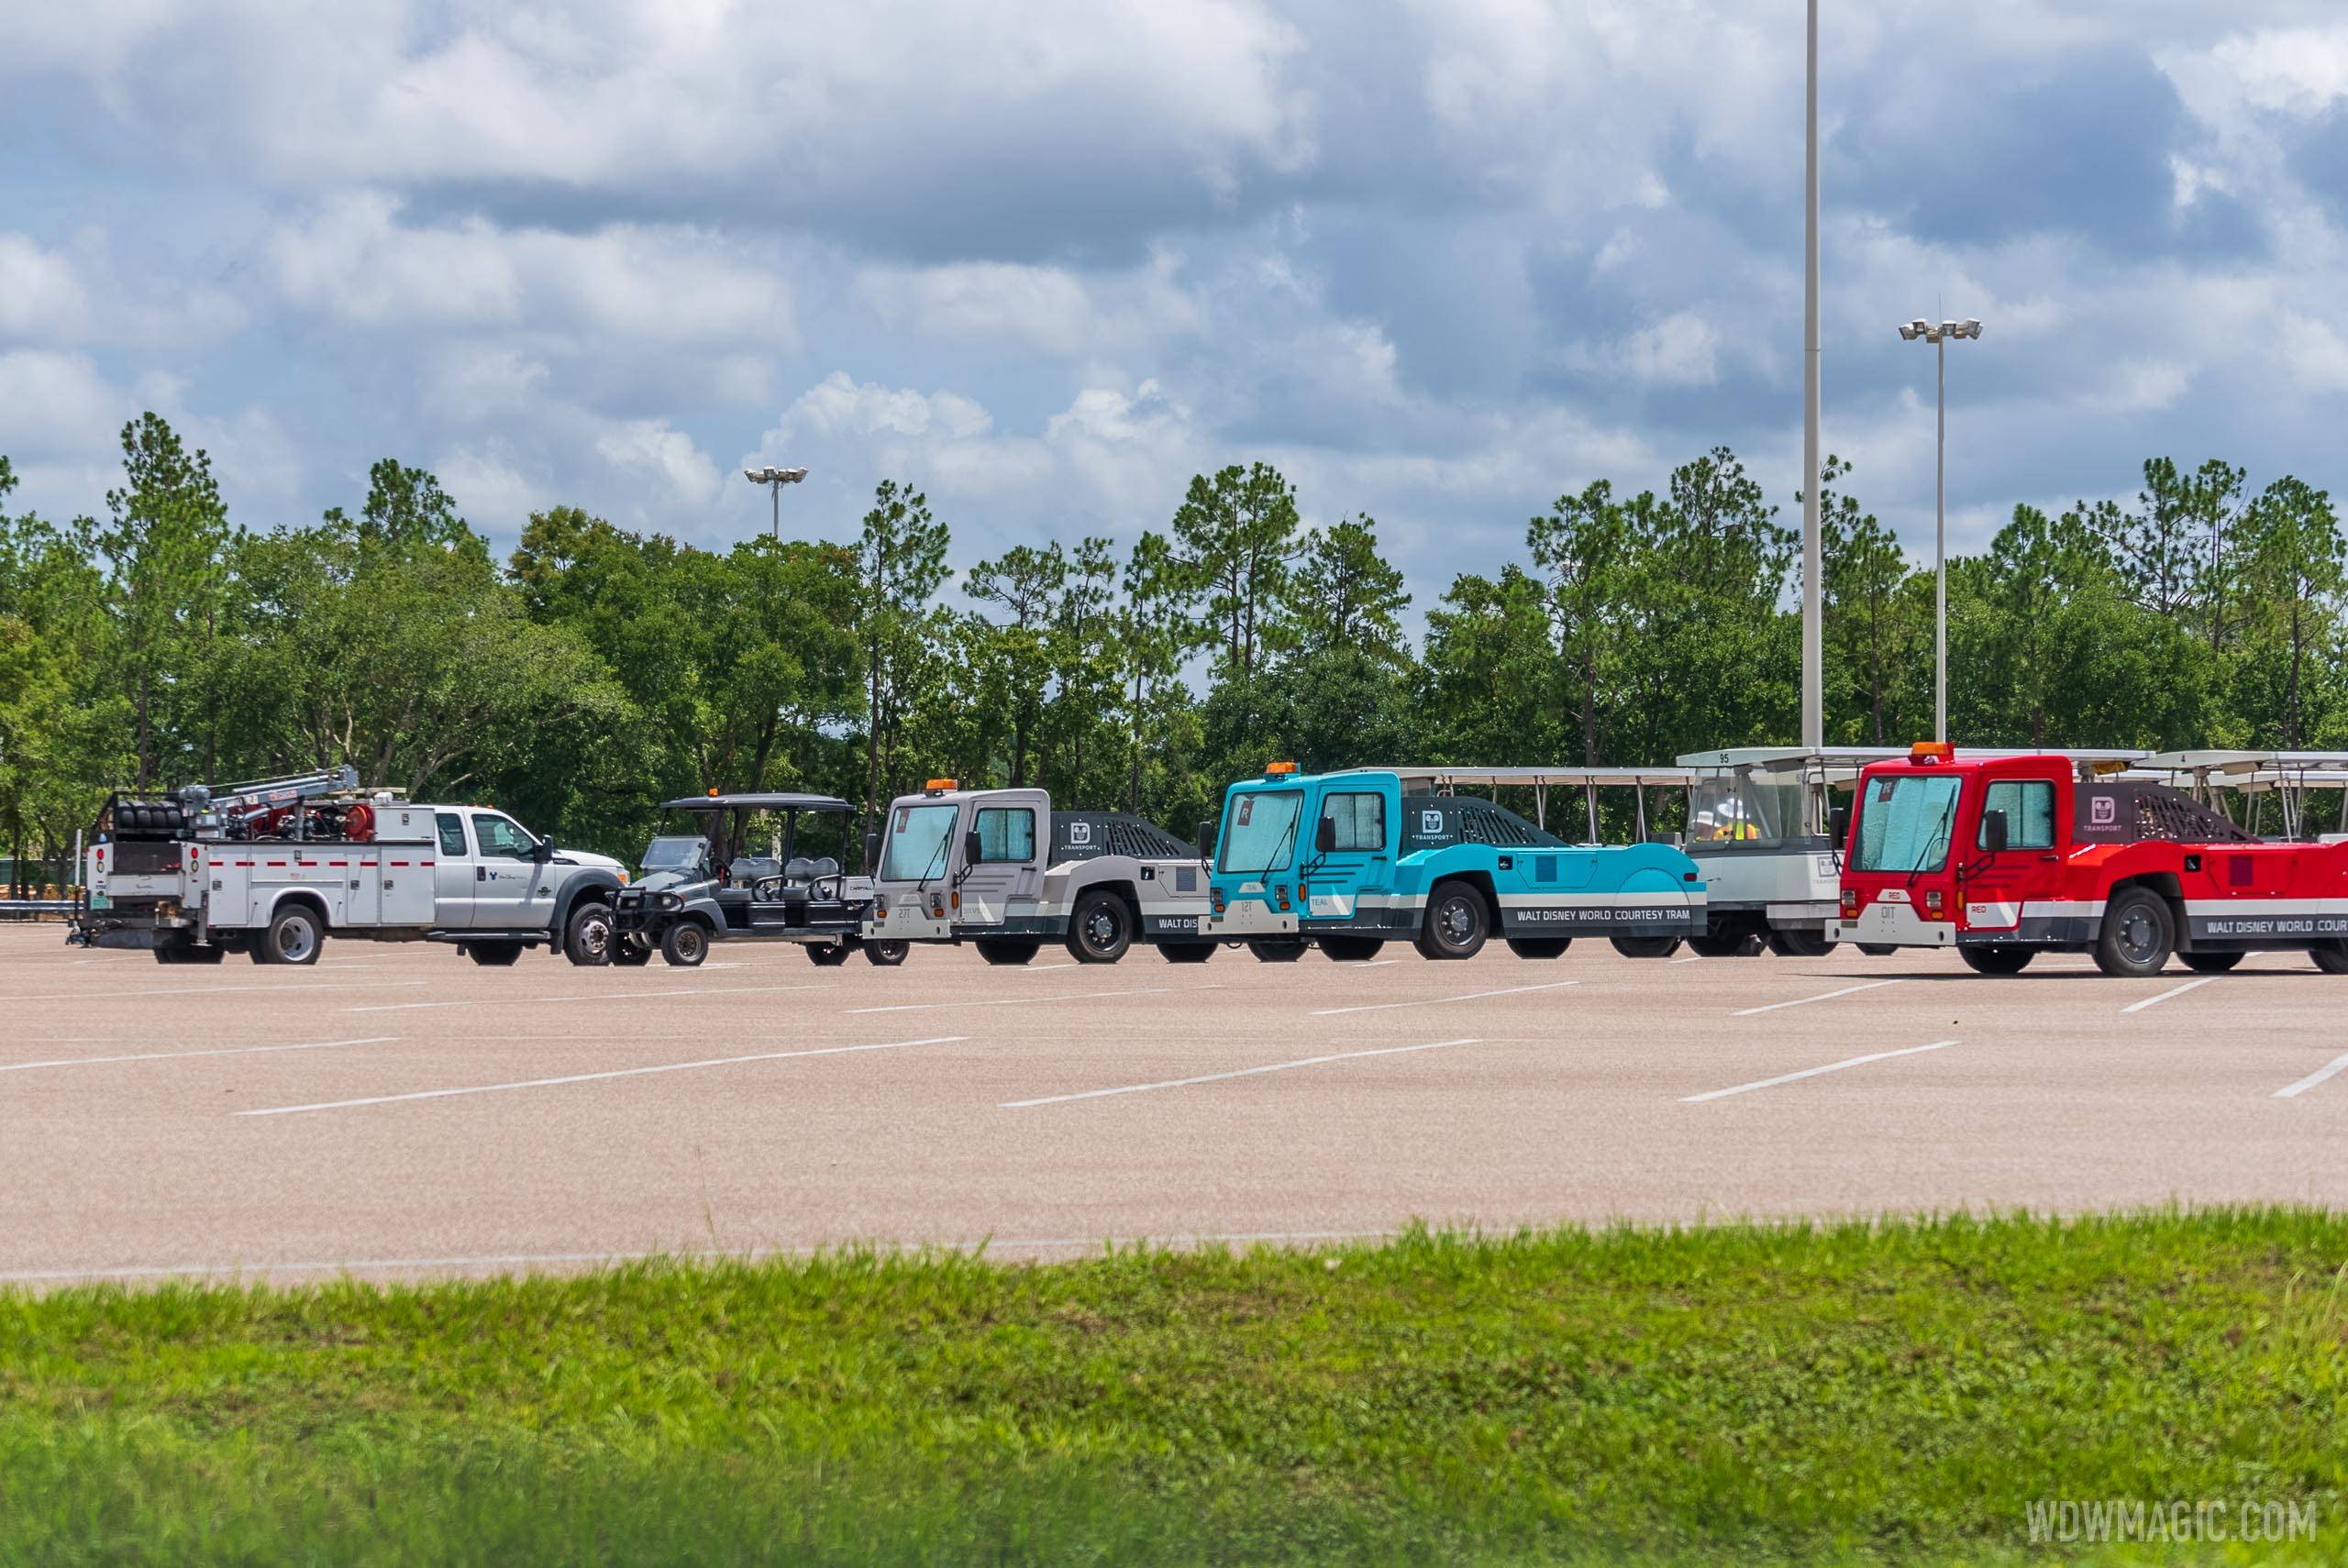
x=400, y=1111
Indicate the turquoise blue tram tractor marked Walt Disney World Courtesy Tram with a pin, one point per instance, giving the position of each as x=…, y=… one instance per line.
x=1349, y=860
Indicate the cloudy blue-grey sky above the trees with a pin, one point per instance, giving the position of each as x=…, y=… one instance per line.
x=1438, y=262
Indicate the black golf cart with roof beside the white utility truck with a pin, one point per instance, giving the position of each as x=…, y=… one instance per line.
x=755, y=865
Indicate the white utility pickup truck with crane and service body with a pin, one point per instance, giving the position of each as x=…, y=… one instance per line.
x=281, y=865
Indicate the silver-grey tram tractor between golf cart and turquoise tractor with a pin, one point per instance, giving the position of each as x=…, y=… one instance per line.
x=1008, y=872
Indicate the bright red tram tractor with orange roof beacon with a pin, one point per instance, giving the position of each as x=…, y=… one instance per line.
x=2009, y=856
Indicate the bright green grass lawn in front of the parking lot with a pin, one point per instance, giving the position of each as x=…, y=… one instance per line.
x=1729, y=1395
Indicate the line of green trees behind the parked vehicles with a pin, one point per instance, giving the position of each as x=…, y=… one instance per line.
x=598, y=670
